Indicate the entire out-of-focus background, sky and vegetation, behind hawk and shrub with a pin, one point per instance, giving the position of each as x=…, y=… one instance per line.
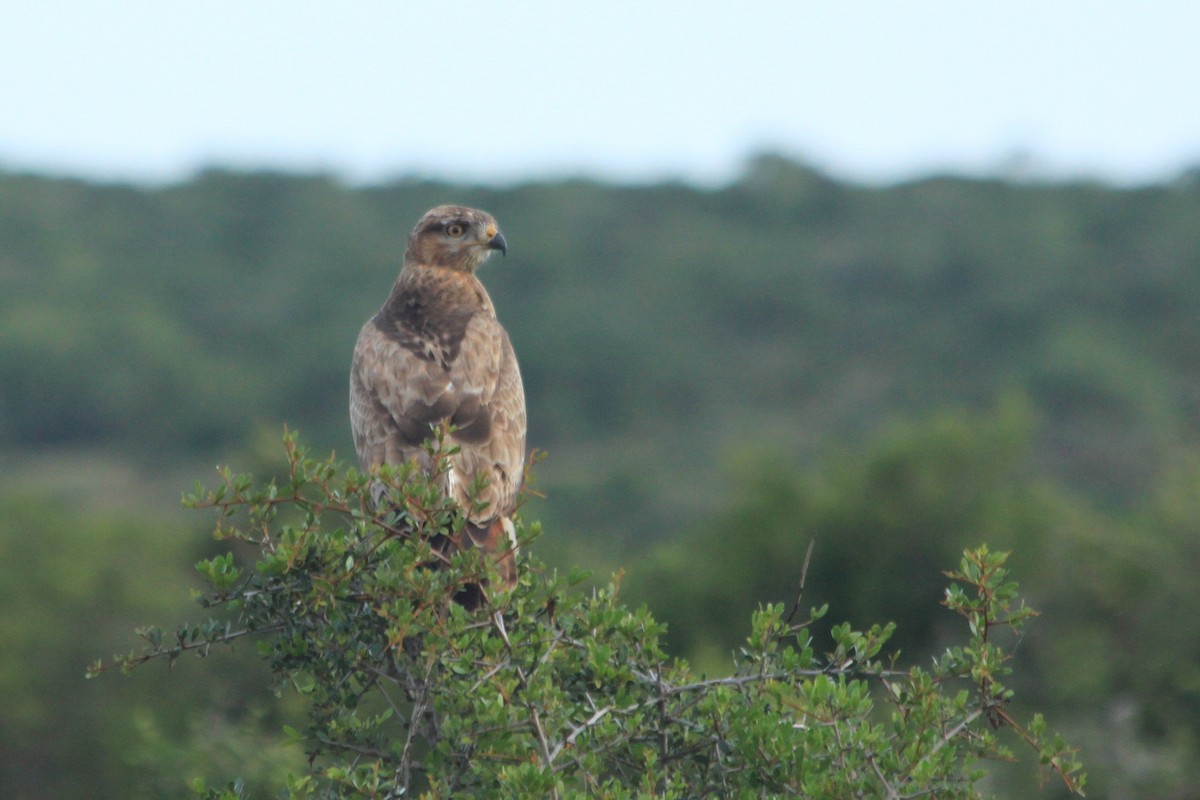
x=902, y=278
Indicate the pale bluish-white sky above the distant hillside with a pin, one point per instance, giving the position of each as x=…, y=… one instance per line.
x=499, y=92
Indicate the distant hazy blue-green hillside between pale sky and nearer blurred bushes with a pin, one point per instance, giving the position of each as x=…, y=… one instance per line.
x=659, y=328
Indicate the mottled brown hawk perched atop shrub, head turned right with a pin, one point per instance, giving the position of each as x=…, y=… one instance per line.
x=437, y=356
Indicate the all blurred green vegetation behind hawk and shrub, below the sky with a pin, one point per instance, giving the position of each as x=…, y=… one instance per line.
x=719, y=376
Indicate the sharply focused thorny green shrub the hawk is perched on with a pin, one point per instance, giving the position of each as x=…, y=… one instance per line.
x=555, y=693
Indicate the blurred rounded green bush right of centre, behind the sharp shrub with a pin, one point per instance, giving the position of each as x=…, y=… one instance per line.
x=885, y=520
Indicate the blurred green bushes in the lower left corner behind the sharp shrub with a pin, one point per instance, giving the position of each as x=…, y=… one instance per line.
x=79, y=576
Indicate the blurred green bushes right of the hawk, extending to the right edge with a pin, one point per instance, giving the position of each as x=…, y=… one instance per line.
x=1113, y=660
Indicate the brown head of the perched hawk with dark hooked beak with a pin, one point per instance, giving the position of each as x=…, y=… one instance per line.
x=454, y=237
